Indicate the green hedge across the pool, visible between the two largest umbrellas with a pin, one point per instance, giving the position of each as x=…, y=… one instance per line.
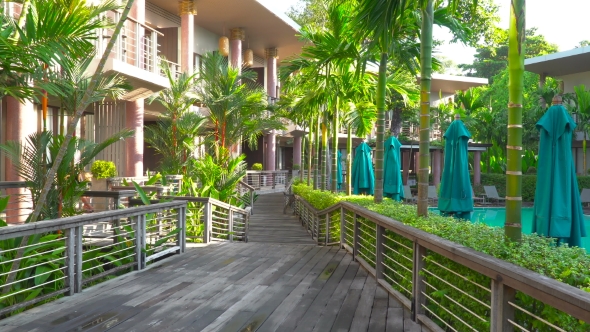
x=529, y=183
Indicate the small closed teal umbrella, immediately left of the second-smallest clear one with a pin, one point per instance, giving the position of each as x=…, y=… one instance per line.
x=363, y=180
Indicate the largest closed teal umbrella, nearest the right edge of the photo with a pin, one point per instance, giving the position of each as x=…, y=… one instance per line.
x=558, y=211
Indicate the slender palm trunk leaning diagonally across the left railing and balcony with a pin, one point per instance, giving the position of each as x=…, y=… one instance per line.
x=49, y=179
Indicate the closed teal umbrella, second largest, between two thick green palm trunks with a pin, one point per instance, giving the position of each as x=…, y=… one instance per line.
x=455, y=187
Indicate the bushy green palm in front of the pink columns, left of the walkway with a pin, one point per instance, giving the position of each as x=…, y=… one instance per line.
x=238, y=107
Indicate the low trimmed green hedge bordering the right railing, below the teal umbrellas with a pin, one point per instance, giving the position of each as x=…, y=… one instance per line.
x=539, y=254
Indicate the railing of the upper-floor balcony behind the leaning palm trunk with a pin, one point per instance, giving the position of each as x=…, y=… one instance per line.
x=136, y=45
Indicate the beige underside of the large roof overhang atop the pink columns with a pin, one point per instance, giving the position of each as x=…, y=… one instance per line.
x=264, y=28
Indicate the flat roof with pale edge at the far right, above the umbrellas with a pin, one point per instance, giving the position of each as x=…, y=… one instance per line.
x=560, y=63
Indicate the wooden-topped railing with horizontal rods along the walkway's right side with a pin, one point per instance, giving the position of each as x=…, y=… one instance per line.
x=447, y=286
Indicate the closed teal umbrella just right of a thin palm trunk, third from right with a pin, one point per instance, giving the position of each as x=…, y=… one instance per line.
x=392, y=176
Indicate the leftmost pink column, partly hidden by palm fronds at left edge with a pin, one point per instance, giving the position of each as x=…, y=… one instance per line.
x=20, y=123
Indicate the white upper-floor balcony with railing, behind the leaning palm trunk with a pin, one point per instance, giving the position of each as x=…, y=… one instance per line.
x=135, y=56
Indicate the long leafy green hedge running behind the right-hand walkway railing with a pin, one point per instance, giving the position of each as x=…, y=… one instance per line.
x=539, y=254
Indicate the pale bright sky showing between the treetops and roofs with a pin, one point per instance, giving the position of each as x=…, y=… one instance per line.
x=562, y=22
